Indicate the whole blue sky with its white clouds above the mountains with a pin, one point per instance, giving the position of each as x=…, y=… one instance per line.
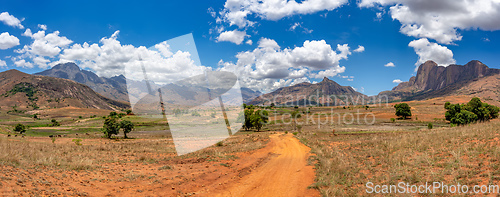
x=284, y=44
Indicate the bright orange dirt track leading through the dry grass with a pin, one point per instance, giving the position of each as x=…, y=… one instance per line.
x=285, y=174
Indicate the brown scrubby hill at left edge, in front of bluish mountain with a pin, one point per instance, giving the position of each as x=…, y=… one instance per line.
x=26, y=92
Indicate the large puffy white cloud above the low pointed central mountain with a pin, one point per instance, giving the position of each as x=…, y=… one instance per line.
x=269, y=67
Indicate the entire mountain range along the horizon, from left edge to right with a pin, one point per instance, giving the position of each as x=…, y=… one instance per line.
x=68, y=85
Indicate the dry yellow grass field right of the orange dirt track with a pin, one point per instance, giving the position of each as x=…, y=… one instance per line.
x=345, y=163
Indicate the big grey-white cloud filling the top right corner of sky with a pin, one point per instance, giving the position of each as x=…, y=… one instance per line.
x=441, y=20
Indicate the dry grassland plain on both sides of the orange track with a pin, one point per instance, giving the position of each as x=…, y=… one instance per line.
x=347, y=154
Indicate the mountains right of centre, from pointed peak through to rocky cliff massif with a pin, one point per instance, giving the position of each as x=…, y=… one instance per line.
x=431, y=80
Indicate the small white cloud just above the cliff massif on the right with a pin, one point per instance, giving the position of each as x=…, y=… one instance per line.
x=431, y=51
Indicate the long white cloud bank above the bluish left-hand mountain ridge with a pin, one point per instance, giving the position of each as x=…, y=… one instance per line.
x=110, y=58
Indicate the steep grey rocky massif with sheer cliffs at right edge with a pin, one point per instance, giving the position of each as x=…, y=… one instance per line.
x=473, y=78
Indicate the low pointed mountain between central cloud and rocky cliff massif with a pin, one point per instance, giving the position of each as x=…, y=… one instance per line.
x=326, y=92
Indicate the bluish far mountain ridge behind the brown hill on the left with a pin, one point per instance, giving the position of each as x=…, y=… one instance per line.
x=114, y=88
